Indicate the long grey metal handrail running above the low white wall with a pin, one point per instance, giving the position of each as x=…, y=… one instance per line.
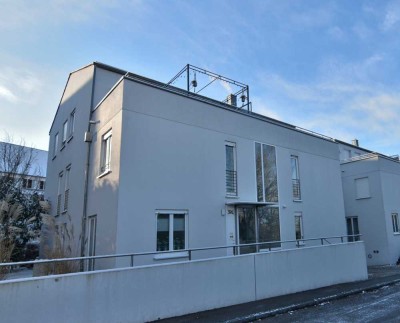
x=189, y=251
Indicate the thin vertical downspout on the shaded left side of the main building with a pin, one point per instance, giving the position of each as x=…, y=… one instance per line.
x=88, y=139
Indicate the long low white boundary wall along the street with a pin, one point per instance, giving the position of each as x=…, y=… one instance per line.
x=153, y=292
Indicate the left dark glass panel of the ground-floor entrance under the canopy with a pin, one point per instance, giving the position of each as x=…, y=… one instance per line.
x=247, y=229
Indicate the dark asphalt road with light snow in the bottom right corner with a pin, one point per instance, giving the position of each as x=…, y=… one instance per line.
x=382, y=305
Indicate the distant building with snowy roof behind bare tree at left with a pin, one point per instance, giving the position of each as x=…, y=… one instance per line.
x=32, y=178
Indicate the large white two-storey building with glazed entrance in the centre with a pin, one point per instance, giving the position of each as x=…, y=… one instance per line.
x=168, y=169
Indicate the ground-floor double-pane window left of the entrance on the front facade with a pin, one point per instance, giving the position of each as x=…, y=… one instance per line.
x=171, y=231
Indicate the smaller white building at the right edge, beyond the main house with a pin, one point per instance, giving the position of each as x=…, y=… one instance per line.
x=372, y=200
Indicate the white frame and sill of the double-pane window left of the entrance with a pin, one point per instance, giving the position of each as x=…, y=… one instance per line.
x=176, y=253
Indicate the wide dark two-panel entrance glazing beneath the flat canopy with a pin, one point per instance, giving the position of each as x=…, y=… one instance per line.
x=258, y=224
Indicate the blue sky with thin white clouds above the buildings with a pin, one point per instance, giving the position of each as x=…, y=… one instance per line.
x=329, y=66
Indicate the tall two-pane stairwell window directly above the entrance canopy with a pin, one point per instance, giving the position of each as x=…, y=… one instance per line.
x=266, y=173
